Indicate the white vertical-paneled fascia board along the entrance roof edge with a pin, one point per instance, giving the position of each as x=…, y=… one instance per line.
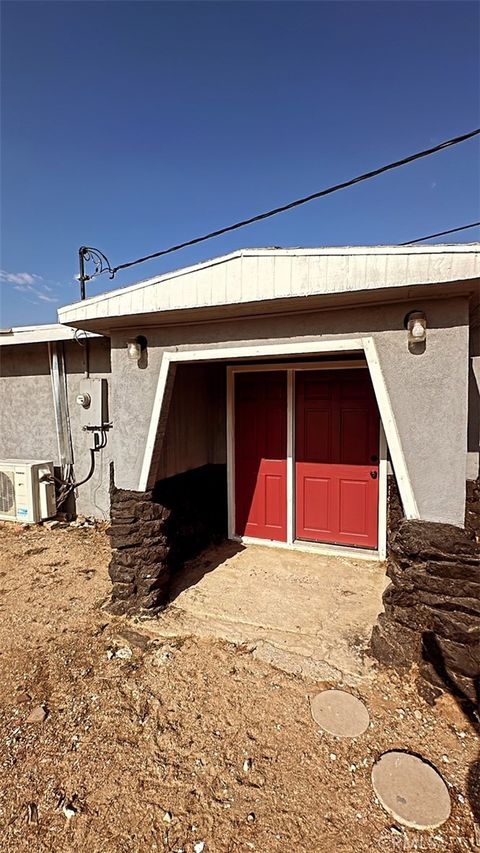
x=343, y=269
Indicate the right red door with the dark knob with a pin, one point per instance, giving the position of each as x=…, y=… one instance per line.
x=337, y=432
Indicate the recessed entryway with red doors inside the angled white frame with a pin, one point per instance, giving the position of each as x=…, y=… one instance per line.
x=297, y=444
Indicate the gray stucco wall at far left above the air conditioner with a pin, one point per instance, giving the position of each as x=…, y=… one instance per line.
x=27, y=420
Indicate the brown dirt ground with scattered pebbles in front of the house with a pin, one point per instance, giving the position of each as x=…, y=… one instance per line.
x=185, y=744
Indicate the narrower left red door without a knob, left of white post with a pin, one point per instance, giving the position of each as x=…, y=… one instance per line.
x=261, y=455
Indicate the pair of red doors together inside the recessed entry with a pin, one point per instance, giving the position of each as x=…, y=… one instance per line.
x=336, y=457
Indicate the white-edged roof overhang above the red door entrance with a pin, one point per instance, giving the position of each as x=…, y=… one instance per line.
x=248, y=277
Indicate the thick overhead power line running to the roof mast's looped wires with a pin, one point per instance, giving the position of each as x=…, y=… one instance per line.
x=103, y=265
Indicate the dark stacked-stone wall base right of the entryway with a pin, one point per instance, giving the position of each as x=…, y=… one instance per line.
x=432, y=608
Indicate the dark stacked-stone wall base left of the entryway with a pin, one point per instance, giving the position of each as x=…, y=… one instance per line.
x=152, y=533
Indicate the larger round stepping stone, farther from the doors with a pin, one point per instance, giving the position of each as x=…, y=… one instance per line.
x=411, y=790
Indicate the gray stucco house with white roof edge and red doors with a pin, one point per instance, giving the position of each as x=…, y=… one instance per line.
x=305, y=398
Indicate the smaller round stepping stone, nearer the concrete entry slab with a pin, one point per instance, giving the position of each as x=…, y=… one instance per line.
x=339, y=713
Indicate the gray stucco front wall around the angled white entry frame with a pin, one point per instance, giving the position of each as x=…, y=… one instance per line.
x=429, y=392
